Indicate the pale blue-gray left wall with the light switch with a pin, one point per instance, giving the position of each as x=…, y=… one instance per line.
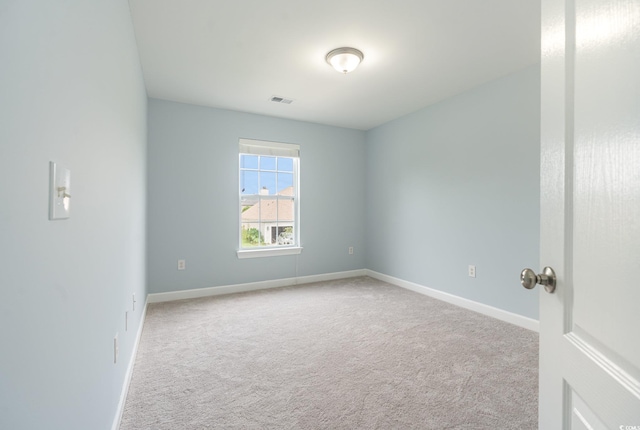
x=72, y=92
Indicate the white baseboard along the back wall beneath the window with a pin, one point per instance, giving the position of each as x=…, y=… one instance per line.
x=251, y=286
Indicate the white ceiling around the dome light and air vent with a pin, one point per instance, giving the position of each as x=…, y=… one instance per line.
x=237, y=54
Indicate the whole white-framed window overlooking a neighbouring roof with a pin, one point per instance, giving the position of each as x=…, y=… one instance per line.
x=269, y=203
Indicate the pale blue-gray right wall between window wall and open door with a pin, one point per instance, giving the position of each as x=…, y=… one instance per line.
x=457, y=183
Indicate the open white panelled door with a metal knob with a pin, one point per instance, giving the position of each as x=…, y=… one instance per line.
x=590, y=215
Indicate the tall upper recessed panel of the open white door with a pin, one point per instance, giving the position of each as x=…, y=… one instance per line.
x=607, y=168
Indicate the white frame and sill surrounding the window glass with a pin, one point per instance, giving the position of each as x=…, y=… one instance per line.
x=273, y=149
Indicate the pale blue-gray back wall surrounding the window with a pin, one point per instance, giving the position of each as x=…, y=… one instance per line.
x=193, y=197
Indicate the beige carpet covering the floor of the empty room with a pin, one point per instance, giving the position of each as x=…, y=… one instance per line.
x=348, y=354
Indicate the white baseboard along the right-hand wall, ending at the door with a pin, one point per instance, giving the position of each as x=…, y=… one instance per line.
x=519, y=320
